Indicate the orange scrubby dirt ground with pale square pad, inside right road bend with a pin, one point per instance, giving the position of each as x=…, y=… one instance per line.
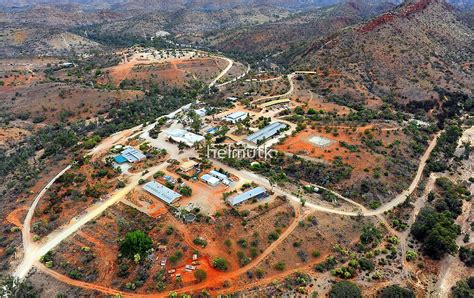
x=372, y=151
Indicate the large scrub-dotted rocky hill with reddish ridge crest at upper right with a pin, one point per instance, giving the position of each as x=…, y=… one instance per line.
x=400, y=56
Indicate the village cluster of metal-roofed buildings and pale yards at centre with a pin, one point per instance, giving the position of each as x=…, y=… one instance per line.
x=186, y=183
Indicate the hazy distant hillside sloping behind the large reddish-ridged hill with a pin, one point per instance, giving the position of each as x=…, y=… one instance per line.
x=292, y=33
